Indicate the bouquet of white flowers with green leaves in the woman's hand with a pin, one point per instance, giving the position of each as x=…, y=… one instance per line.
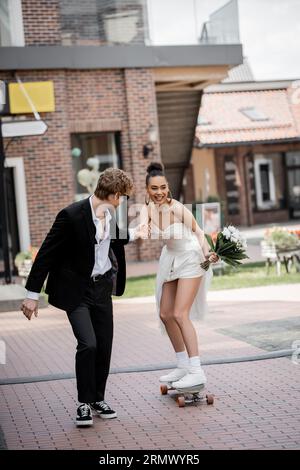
x=229, y=245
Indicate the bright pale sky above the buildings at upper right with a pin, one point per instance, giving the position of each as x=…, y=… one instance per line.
x=269, y=31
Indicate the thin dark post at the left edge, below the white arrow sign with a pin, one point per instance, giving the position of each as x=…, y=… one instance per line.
x=4, y=213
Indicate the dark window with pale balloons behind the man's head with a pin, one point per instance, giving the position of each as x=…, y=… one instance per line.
x=92, y=153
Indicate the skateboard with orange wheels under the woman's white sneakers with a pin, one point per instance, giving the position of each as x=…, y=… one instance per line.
x=186, y=396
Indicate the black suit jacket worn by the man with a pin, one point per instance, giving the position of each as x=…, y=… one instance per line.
x=67, y=257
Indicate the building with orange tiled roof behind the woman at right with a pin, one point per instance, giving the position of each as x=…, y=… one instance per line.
x=248, y=140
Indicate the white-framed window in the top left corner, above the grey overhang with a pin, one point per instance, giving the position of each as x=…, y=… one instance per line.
x=11, y=23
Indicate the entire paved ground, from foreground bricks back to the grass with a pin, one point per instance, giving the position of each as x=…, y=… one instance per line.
x=257, y=403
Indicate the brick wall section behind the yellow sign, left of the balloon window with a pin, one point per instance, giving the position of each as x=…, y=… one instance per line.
x=47, y=162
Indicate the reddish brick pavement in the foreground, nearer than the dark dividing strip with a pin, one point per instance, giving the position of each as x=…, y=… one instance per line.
x=257, y=407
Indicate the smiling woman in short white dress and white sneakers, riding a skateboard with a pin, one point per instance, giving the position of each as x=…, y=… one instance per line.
x=181, y=283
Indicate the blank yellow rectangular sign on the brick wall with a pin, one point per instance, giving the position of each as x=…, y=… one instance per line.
x=41, y=94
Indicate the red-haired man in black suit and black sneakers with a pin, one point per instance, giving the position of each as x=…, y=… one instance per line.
x=83, y=257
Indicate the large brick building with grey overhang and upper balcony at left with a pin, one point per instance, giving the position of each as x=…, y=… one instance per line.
x=111, y=88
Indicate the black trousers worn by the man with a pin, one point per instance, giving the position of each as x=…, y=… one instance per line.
x=92, y=324
